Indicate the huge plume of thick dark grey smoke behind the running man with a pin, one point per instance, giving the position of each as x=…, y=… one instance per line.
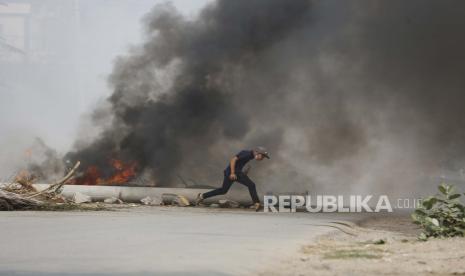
x=347, y=95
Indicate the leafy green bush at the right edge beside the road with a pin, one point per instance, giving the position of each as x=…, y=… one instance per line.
x=442, y=215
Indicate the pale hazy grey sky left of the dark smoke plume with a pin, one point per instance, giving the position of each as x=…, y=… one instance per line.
x=51, y=100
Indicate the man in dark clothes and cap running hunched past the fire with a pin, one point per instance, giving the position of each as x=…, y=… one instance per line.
x=234, y=173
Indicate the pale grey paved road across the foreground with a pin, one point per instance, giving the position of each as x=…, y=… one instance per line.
x=153, y=241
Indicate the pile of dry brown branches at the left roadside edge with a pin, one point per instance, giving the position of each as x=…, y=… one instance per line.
x=21, y=195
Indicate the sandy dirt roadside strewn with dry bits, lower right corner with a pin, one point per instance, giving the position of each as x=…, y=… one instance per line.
x=377, y=246
